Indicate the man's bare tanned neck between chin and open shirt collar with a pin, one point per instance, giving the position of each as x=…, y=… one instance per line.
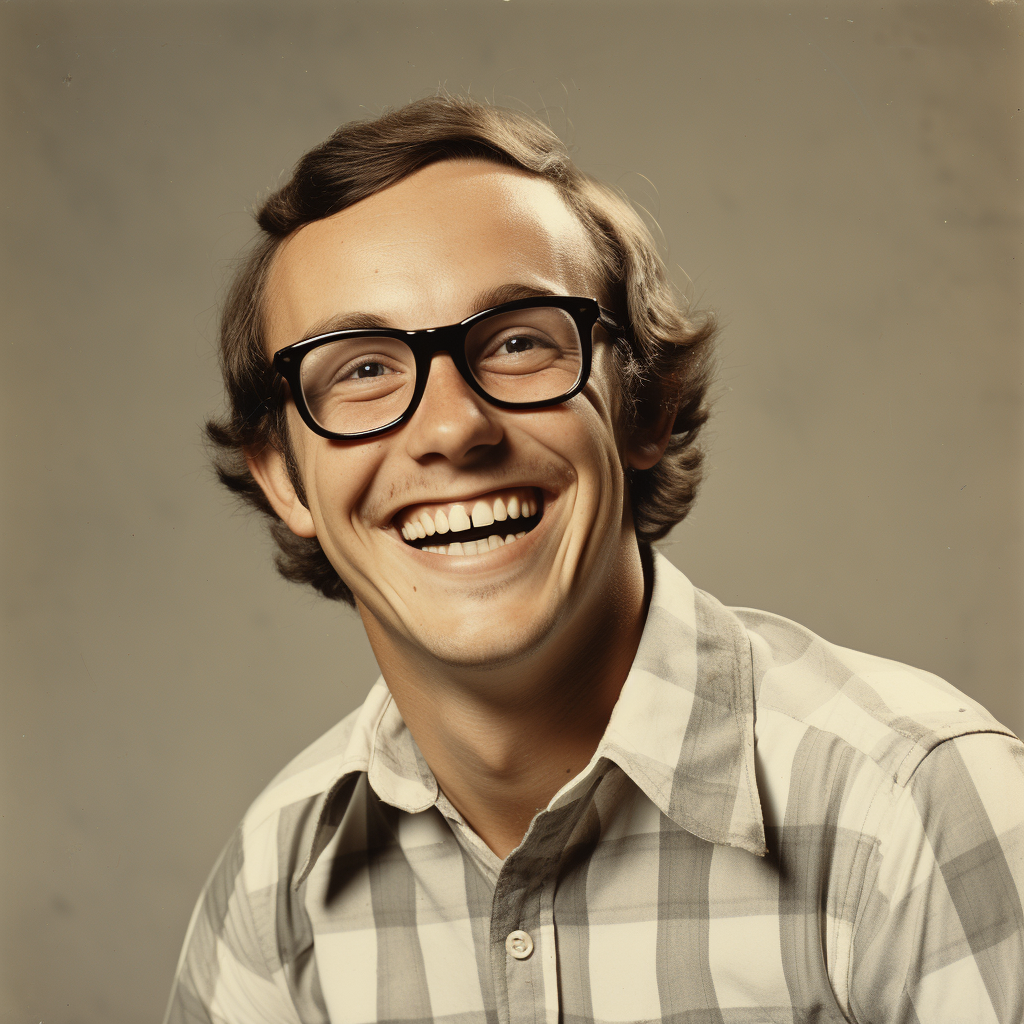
x=503, y=740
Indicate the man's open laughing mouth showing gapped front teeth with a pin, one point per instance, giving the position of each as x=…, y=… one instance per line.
x=475, y=527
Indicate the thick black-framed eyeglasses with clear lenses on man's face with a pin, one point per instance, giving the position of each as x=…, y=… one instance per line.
x=525, y=355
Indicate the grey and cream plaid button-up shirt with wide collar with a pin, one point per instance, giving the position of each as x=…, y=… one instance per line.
x=773, y=829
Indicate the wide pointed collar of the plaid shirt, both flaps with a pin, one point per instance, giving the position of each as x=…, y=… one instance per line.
x=682, y=729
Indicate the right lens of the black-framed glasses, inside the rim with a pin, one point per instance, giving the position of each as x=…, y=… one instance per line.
x=526, y=355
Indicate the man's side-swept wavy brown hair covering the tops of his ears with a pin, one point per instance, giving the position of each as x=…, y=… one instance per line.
x=667, y=362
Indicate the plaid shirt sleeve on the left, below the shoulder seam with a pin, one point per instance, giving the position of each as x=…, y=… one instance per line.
x=224, y=976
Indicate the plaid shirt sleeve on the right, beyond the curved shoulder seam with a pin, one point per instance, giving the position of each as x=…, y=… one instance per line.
x=941, y=932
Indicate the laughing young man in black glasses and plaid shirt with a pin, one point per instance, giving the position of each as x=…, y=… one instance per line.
x=582, y=791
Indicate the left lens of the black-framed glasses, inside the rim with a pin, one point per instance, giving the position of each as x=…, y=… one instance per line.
x=358, y=385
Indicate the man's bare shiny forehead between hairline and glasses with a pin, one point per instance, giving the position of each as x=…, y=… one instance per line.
x=420, y=253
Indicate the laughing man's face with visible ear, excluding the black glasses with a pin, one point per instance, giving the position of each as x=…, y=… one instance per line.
x=451, y=240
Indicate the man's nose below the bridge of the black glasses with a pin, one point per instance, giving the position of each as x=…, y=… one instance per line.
x=452, y=421
